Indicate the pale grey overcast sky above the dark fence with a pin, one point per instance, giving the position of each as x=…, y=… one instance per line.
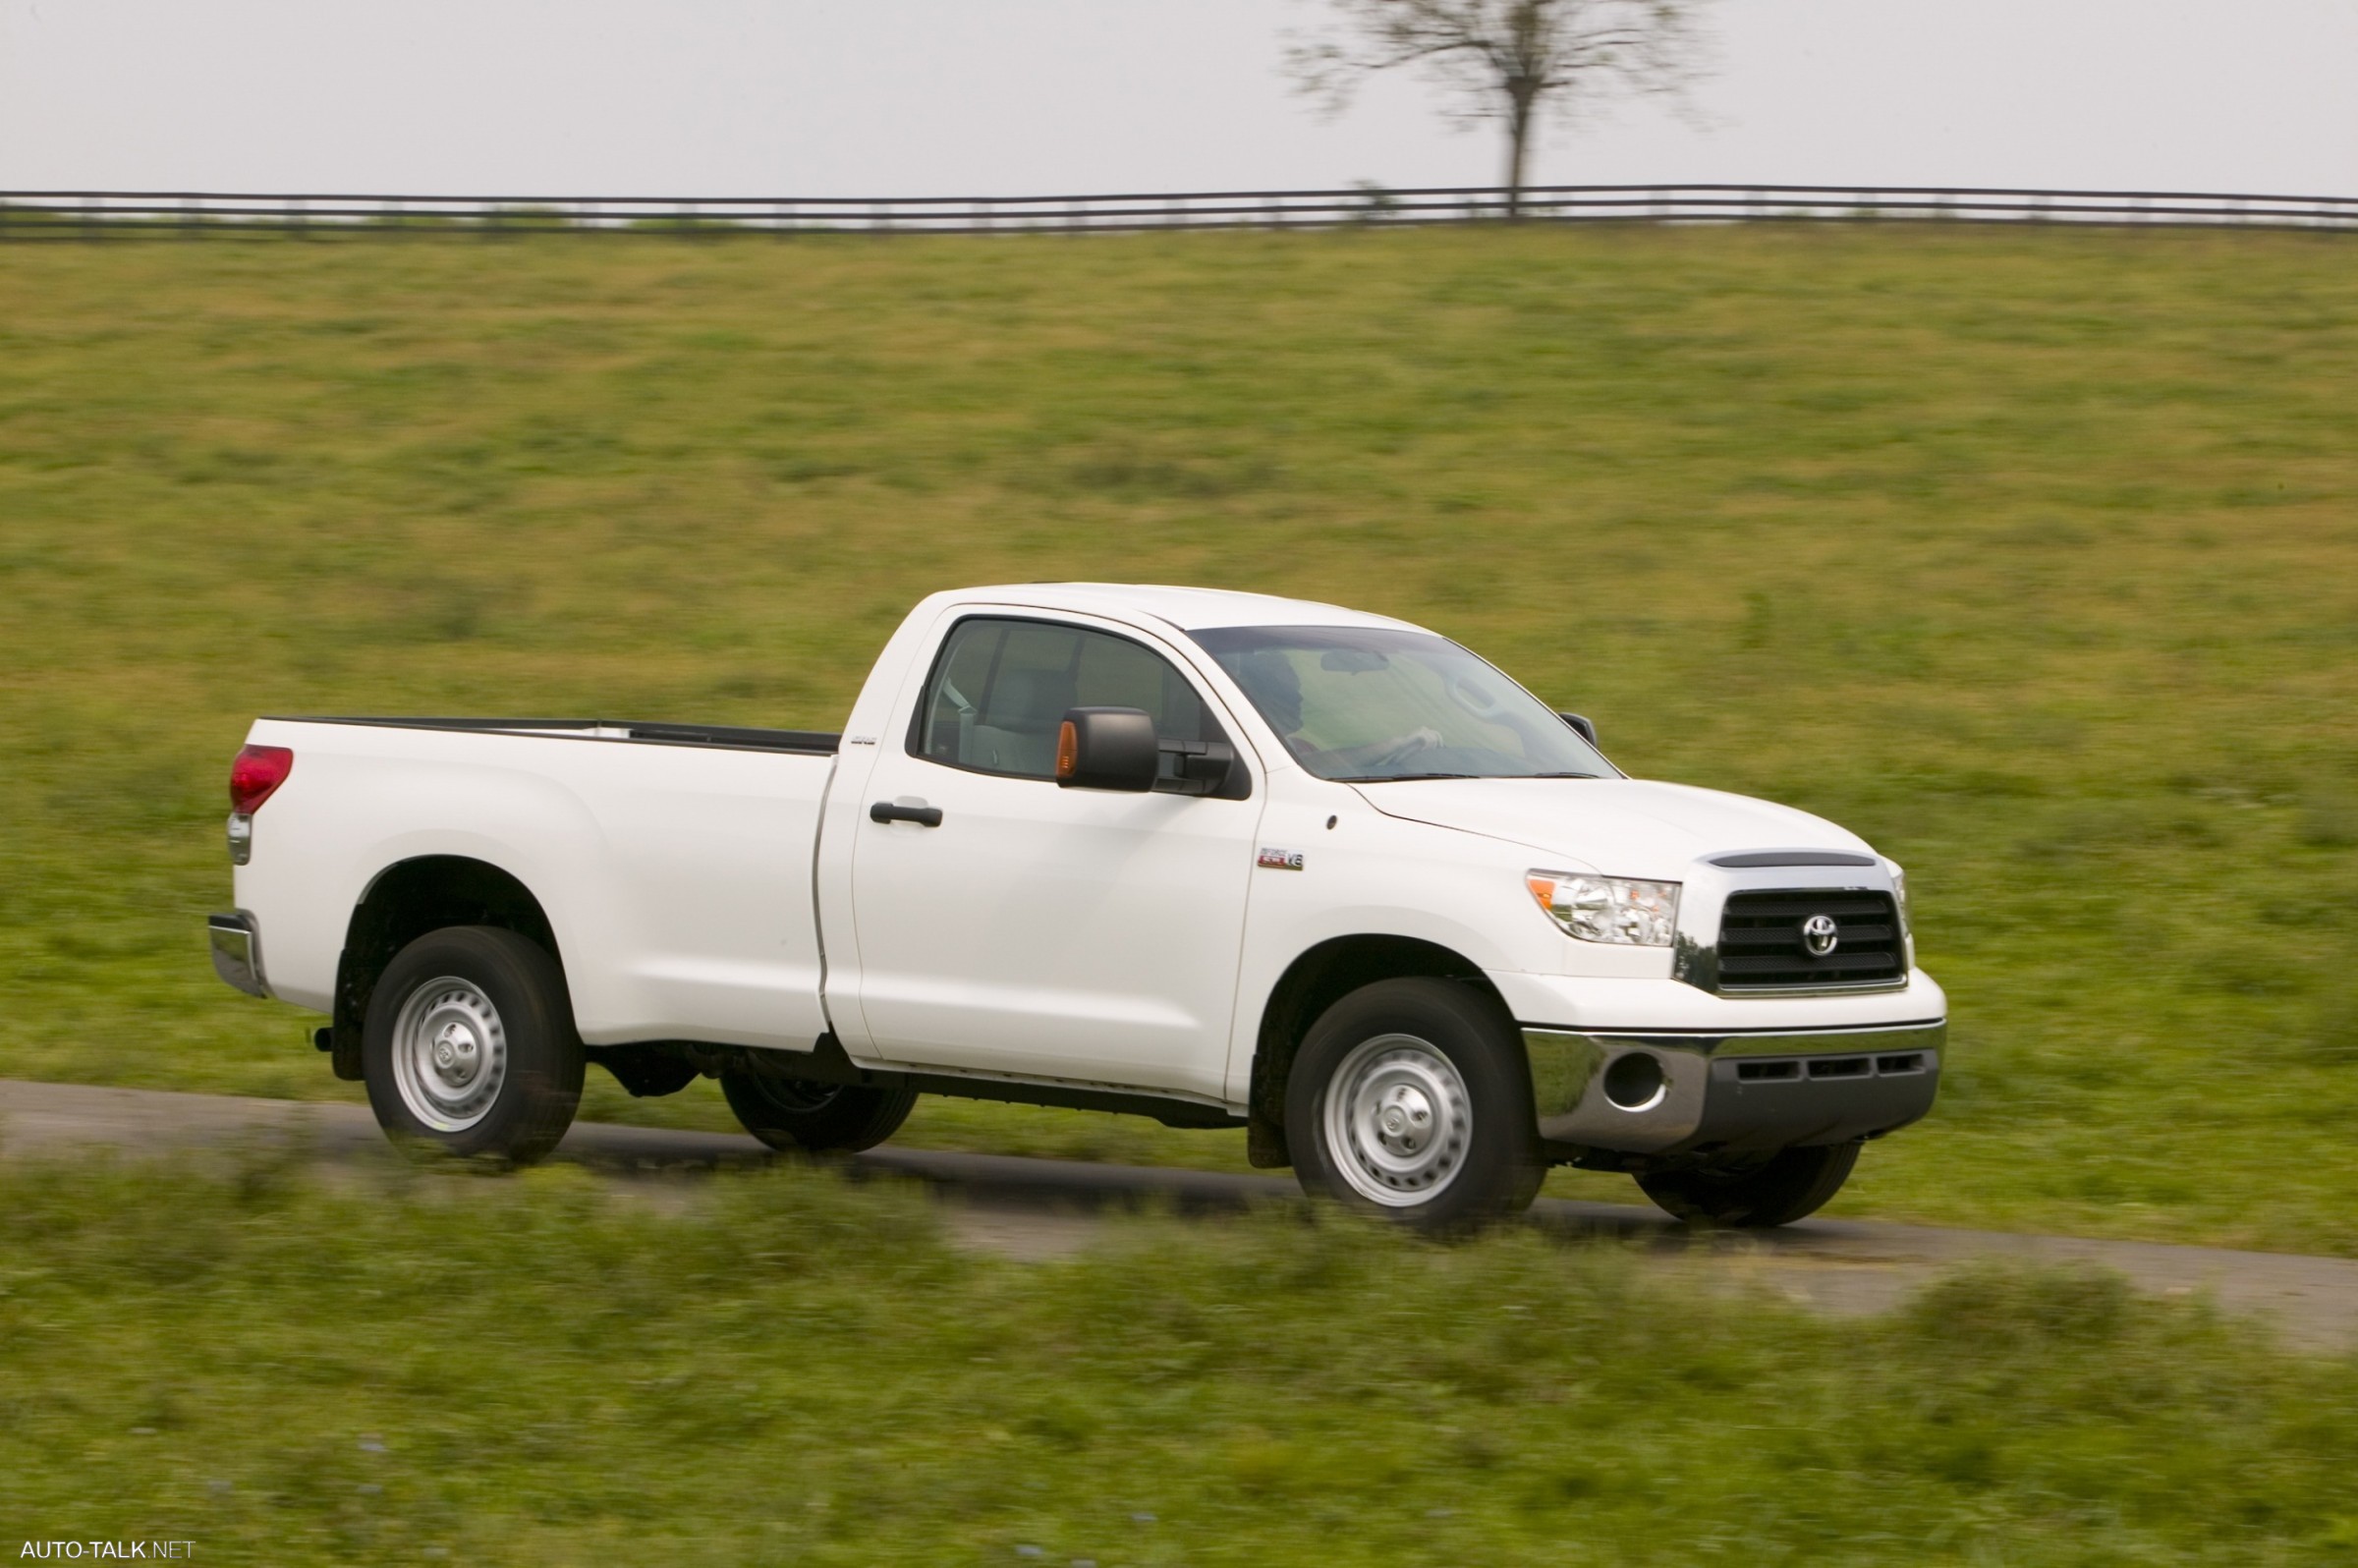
x=916, y=98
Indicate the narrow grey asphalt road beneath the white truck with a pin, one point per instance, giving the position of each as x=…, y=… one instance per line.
x=1048, y=1208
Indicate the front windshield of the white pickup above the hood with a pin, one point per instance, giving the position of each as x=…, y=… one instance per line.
x=1371, y=706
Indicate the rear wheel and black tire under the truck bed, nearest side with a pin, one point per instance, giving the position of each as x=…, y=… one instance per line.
x=527, y=1079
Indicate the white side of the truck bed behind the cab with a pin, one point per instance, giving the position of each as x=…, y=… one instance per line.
x=673, y=862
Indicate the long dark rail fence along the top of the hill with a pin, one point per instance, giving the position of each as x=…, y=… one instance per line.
x=77, y=216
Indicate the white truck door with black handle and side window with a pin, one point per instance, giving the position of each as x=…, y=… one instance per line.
x=1010, y=925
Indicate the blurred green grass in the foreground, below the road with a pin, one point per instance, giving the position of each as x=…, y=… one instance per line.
x=777, y=1369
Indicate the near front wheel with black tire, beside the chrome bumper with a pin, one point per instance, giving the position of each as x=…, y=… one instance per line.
x=1480, y=1159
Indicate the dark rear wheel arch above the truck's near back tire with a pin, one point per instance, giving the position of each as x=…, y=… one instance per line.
x=402, y=904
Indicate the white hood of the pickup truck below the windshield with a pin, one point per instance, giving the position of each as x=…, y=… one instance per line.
x=1612, y=826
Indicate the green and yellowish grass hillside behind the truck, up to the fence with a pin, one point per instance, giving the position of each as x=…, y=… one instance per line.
x=2029, y=555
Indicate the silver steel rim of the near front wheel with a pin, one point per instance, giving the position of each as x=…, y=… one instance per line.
x=1399, y=1121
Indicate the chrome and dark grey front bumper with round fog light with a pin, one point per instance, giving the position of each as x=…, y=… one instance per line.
x=1690, y=1093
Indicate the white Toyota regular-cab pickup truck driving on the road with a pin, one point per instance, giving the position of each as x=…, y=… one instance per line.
x=1216, y=859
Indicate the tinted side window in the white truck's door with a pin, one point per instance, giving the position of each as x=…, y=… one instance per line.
x=1001, y=690
